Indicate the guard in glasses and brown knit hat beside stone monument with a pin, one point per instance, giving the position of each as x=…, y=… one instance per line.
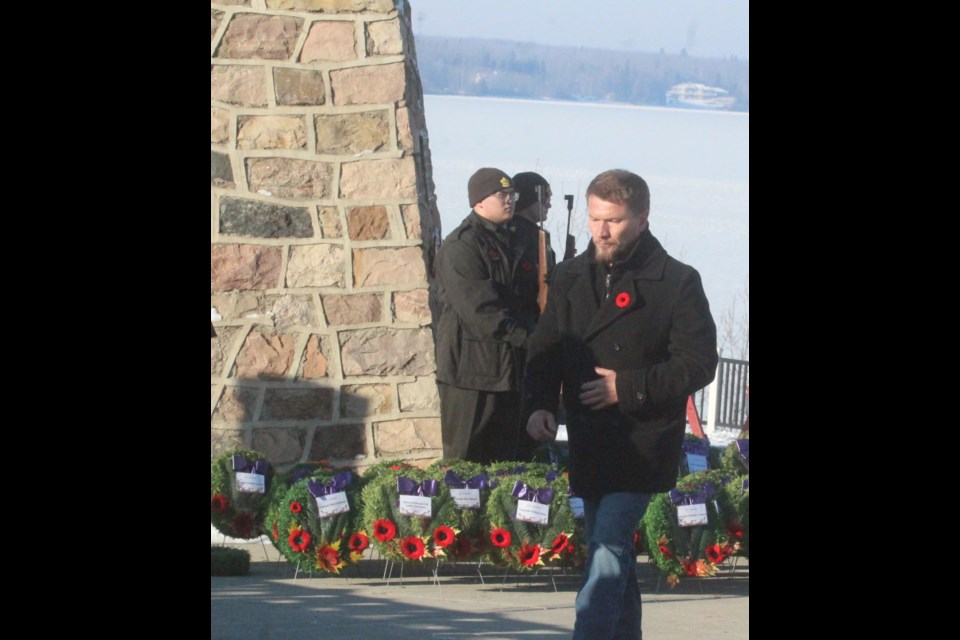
x=482, y=330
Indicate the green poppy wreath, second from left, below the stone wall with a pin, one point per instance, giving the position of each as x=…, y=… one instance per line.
x=327, y=543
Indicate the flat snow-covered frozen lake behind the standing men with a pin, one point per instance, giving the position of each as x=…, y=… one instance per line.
x=696, y=163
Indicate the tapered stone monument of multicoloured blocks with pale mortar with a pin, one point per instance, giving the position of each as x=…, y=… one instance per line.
x=323, y=229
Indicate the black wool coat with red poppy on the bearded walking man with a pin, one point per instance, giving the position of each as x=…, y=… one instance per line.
x=656, y=331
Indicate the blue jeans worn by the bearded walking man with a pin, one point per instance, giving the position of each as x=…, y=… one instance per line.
x=608, y=603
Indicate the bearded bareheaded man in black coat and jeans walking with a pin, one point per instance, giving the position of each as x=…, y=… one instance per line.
x=628, y=335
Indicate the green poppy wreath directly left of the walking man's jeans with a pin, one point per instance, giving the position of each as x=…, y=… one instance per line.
x=525, y=545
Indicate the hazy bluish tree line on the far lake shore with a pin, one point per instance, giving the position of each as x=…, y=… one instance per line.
x=502, y=68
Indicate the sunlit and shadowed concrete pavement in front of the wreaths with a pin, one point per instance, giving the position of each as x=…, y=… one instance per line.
x=274, y=602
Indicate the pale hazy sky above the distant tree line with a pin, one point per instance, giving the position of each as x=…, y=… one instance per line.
x=705, y=28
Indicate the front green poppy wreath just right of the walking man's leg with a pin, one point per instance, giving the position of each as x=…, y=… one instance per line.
x=687, y=551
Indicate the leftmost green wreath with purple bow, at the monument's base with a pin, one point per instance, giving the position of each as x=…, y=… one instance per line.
x=234, y=513
